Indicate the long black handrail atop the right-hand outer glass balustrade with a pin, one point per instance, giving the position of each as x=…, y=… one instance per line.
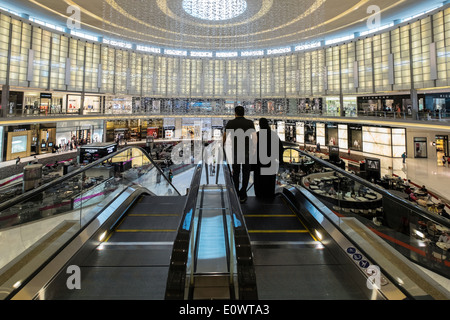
x=419, y=211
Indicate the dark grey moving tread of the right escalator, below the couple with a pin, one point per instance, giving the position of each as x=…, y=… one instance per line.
x=290, y=263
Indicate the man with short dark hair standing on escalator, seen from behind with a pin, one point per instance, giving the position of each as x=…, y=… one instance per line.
x=241, y=150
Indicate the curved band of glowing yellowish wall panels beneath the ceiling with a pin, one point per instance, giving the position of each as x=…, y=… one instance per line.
x=413, y=55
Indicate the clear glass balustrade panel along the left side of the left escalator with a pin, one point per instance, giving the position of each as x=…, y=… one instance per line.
x=36, y=224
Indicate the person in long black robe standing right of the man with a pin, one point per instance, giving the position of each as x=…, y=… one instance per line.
x=270, y=156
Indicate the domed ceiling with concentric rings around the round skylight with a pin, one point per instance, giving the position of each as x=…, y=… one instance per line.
x=221, y=24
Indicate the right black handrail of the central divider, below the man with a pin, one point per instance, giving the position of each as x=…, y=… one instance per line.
x=244, y=254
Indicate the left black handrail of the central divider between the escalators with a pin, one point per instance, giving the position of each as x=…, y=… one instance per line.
x=180, y=252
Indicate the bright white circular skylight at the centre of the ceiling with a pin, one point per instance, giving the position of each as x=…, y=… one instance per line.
x=215, y=10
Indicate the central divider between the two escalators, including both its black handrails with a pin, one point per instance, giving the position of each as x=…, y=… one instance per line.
x=211, y=258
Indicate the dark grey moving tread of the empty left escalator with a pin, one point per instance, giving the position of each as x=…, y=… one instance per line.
x=132, y=262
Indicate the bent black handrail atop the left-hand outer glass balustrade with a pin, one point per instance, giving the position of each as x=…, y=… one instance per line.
x=32, y=193
